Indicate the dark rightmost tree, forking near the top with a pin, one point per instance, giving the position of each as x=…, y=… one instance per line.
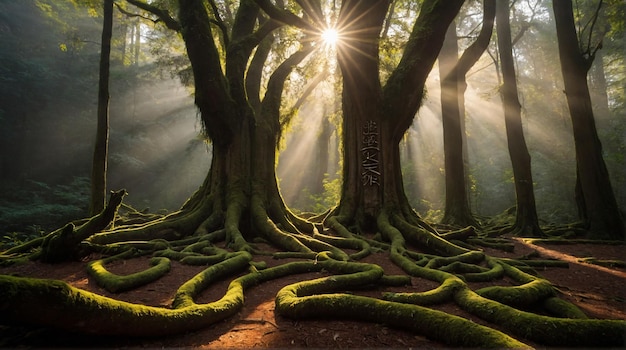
x=596, y=200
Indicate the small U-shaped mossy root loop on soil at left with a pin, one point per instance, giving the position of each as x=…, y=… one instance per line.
x=116, y=283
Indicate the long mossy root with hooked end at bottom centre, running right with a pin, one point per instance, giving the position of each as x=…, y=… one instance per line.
x=293, y=301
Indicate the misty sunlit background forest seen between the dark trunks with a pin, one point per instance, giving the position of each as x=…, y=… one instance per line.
x=49, y=53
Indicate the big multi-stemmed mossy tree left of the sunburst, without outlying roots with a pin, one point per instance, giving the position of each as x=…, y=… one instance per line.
x=240, y=192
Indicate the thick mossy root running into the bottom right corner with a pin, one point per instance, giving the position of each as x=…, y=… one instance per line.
x=552, y=331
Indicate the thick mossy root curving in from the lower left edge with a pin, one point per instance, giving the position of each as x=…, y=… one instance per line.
x=56, y=304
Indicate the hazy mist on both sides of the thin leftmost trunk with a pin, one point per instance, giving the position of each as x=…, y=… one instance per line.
x=48, y=116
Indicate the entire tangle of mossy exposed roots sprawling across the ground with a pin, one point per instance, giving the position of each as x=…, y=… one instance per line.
x=191, y=234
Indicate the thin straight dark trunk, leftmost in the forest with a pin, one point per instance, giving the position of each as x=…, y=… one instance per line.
x=100, y=154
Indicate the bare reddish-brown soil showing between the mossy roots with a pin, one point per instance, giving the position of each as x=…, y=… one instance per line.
x=599, y=291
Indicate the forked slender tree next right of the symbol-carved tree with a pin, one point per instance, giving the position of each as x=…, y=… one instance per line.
x=453, y=86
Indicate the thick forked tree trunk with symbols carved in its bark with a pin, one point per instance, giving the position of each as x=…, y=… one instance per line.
x=376, y=117
